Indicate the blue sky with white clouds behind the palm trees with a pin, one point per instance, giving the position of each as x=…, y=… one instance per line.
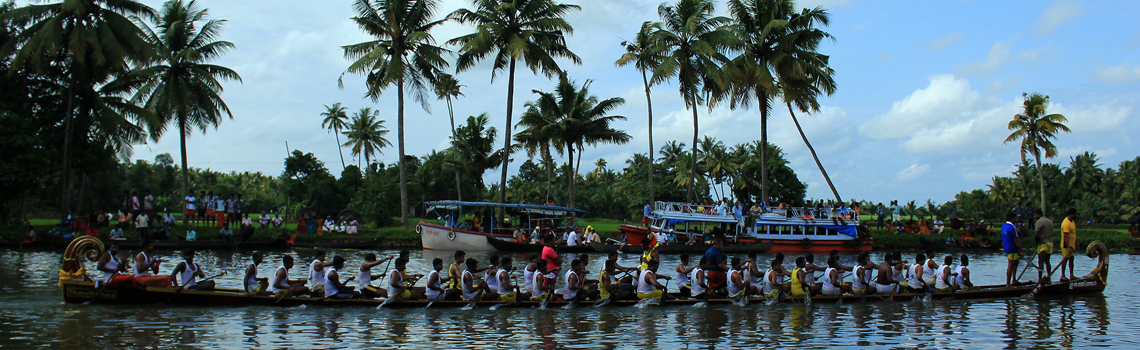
x=925, y=91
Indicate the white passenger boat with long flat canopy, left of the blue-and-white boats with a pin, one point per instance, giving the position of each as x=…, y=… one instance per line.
x=450, y=235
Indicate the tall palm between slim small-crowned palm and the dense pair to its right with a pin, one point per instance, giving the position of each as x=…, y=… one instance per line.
x=694, y=40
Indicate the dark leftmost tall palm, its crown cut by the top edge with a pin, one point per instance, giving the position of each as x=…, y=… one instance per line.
x=91, y=39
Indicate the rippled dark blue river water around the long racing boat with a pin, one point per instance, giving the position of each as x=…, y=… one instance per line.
x=34, y=315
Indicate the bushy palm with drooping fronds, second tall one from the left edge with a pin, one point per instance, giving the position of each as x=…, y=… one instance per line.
x=181, y=85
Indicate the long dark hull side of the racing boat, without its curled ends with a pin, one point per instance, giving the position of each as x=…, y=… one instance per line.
x=80, y=292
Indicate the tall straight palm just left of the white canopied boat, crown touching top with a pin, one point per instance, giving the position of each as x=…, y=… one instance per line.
x=403, y=54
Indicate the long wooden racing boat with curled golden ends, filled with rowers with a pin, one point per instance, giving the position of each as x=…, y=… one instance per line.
x=78, y=288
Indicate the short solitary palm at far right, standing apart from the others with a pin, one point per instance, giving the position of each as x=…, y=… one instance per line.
x=1037, y=131
